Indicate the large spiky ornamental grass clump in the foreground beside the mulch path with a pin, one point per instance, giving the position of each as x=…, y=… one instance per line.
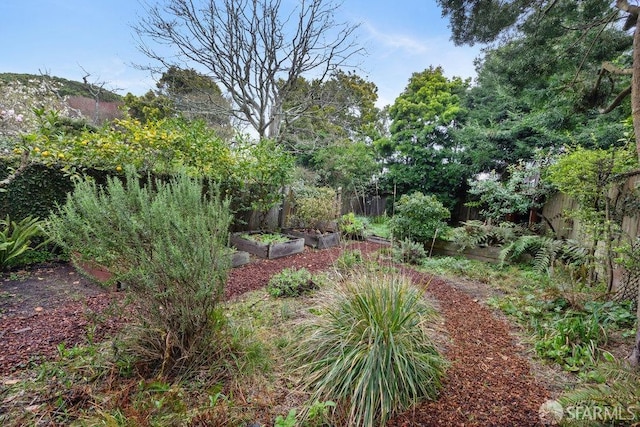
x=368, y=349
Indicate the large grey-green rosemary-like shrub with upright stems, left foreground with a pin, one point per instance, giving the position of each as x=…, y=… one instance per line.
x=168, y=244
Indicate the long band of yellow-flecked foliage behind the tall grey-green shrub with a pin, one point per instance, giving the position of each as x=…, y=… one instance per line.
x=162, y=146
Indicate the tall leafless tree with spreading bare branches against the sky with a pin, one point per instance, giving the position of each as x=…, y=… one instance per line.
x=252, y=48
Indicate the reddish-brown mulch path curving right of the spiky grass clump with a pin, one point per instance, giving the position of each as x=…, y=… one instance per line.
x=488, y=383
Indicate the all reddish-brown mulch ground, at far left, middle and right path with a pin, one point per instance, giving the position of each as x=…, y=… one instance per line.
x=488, y=383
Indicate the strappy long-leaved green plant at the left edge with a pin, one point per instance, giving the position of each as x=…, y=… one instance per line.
x=16, y=238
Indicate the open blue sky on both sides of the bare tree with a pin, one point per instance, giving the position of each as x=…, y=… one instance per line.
x=61, y=37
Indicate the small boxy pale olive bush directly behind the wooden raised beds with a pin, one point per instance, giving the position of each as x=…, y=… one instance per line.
x=315, y=207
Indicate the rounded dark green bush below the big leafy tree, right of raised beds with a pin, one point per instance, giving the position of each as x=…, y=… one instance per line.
x=418, y=217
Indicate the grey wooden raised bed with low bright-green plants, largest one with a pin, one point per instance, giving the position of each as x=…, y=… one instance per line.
x=267, y=245
